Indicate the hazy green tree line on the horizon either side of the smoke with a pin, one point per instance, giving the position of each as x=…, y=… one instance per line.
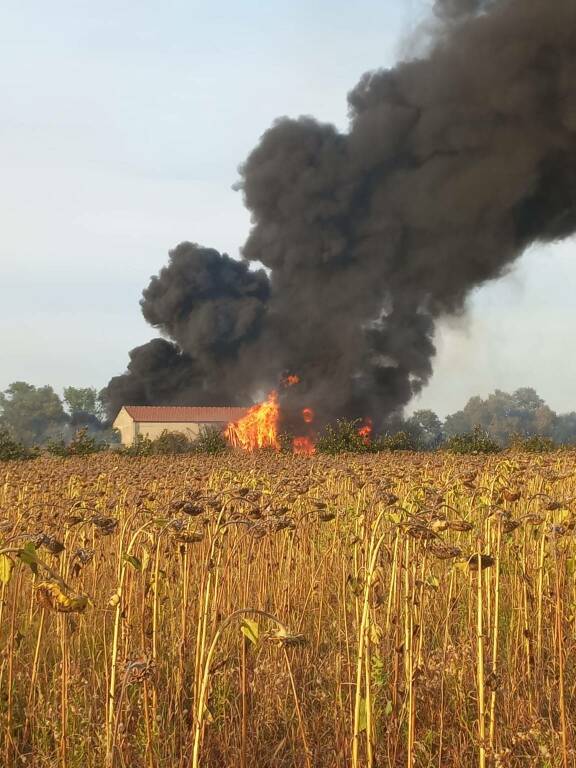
x=36, y=415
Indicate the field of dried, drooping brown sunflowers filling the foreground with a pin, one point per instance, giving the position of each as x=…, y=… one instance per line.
x=264, y=610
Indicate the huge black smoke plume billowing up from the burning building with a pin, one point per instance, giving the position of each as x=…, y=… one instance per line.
x=452, y=166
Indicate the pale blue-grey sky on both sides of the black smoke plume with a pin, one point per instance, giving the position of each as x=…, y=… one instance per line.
x=122, y=126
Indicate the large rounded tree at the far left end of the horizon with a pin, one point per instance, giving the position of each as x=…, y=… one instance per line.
x=31, y=413
